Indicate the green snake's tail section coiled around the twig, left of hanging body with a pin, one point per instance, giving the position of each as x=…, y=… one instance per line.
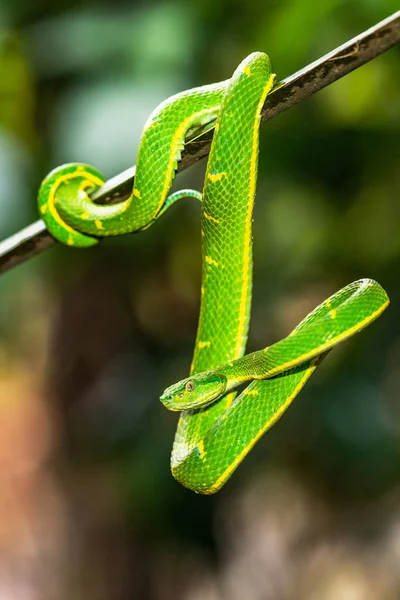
x=79, y=220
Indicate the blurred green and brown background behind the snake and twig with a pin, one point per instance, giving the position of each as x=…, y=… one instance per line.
x=89, y=339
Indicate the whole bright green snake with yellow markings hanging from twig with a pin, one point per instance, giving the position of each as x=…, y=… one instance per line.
x=217, y=428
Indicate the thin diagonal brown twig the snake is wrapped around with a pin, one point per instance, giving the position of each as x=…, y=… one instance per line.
x=35, y=238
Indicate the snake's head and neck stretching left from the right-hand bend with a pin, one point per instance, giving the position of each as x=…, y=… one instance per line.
x=336, y=319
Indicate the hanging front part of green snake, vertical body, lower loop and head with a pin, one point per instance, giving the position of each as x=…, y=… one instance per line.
x=212, y=440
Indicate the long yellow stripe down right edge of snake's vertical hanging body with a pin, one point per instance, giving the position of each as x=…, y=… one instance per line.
x=243, y=311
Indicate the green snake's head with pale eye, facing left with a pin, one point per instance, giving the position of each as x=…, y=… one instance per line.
x=197, y=391
